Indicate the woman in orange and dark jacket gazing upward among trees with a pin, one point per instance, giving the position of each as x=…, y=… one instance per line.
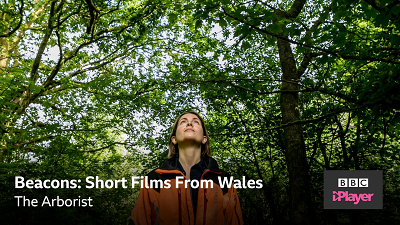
x=192, y=193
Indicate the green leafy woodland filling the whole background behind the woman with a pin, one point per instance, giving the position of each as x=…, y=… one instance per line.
x=287, y=89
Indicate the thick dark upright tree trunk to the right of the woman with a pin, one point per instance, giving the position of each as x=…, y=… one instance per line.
x=299, y=194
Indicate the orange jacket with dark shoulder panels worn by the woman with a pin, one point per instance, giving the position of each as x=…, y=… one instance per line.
x=170, y=206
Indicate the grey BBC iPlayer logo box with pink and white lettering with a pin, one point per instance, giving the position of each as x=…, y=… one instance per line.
x=353, y=189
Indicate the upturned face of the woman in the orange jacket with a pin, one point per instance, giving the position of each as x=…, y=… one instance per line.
x=189, y=131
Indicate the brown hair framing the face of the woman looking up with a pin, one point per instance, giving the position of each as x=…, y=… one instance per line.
x=173, y=148
